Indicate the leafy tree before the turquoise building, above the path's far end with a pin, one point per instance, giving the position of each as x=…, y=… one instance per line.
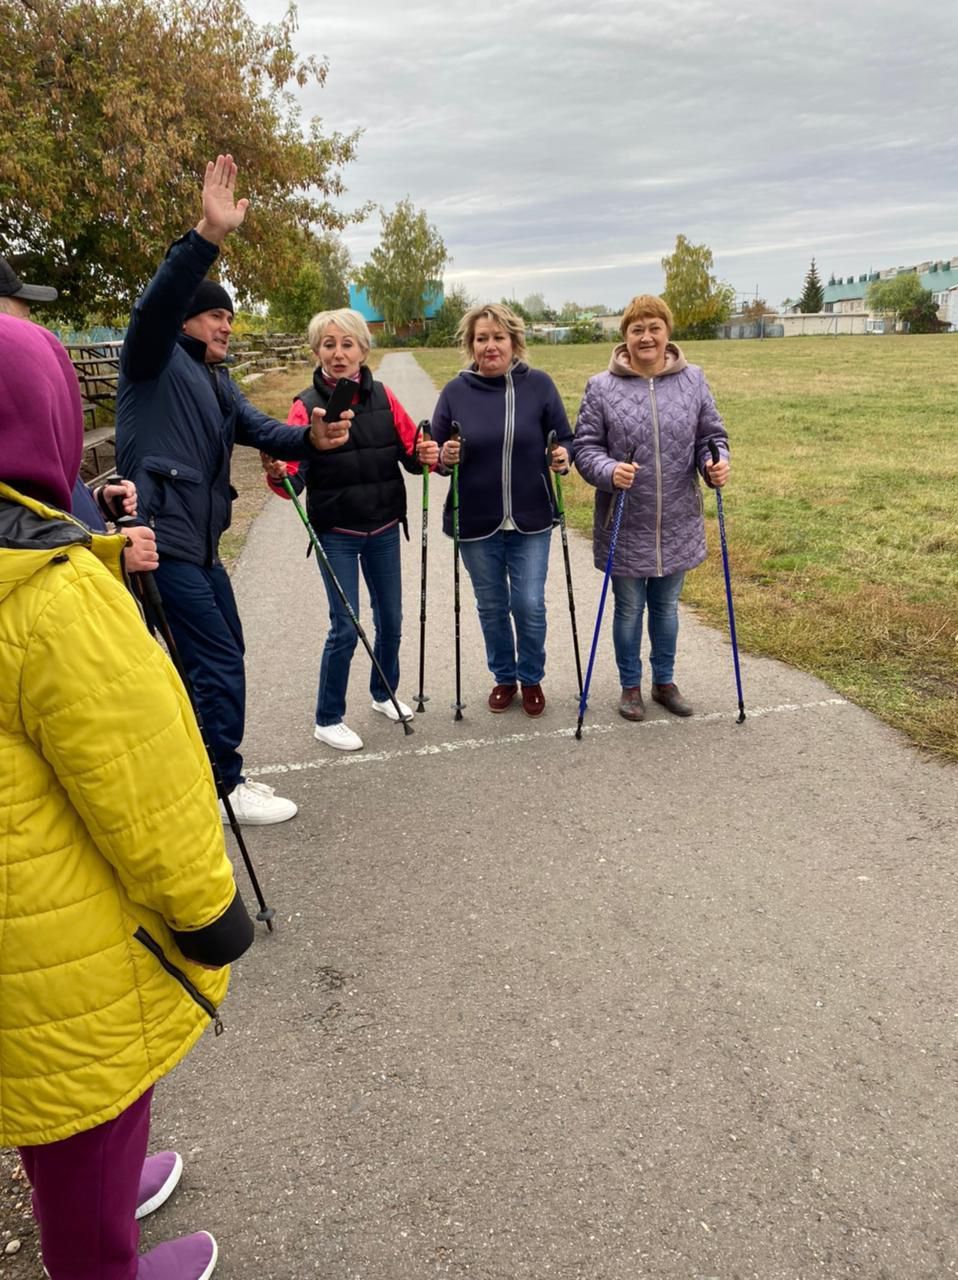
x=408, y=262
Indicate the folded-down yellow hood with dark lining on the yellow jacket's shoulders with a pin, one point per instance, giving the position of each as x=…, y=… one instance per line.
x=37, y=534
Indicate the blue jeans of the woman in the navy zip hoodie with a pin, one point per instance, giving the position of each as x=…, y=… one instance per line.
x=509, y=579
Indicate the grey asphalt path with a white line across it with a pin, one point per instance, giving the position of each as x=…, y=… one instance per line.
x=674, y=1002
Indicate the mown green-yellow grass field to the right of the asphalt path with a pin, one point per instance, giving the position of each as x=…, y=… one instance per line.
x=842, y=511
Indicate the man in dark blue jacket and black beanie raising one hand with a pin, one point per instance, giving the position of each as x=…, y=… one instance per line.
x=179, y=417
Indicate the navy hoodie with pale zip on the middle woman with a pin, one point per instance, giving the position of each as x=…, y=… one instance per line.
x=505, y=424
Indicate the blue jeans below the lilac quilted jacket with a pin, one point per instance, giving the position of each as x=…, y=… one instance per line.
x=632, y=597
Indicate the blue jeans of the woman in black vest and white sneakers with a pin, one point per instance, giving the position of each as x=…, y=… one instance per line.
x=378, y=556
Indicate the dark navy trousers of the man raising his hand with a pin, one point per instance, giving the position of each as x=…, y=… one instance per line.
x=206, y=624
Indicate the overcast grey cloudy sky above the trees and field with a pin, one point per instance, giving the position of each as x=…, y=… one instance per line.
x=560, y=148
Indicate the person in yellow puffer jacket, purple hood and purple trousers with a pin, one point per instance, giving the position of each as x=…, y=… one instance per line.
x=118, y=907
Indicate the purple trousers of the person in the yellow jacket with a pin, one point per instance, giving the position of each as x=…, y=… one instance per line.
x=85, y=1197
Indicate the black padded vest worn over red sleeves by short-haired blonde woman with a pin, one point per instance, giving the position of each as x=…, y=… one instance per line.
x=359, y=486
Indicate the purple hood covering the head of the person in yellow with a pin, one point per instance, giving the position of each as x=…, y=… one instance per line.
x=42, y=417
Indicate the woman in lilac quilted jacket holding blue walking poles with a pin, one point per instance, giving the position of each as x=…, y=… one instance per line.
x=654, y=403
